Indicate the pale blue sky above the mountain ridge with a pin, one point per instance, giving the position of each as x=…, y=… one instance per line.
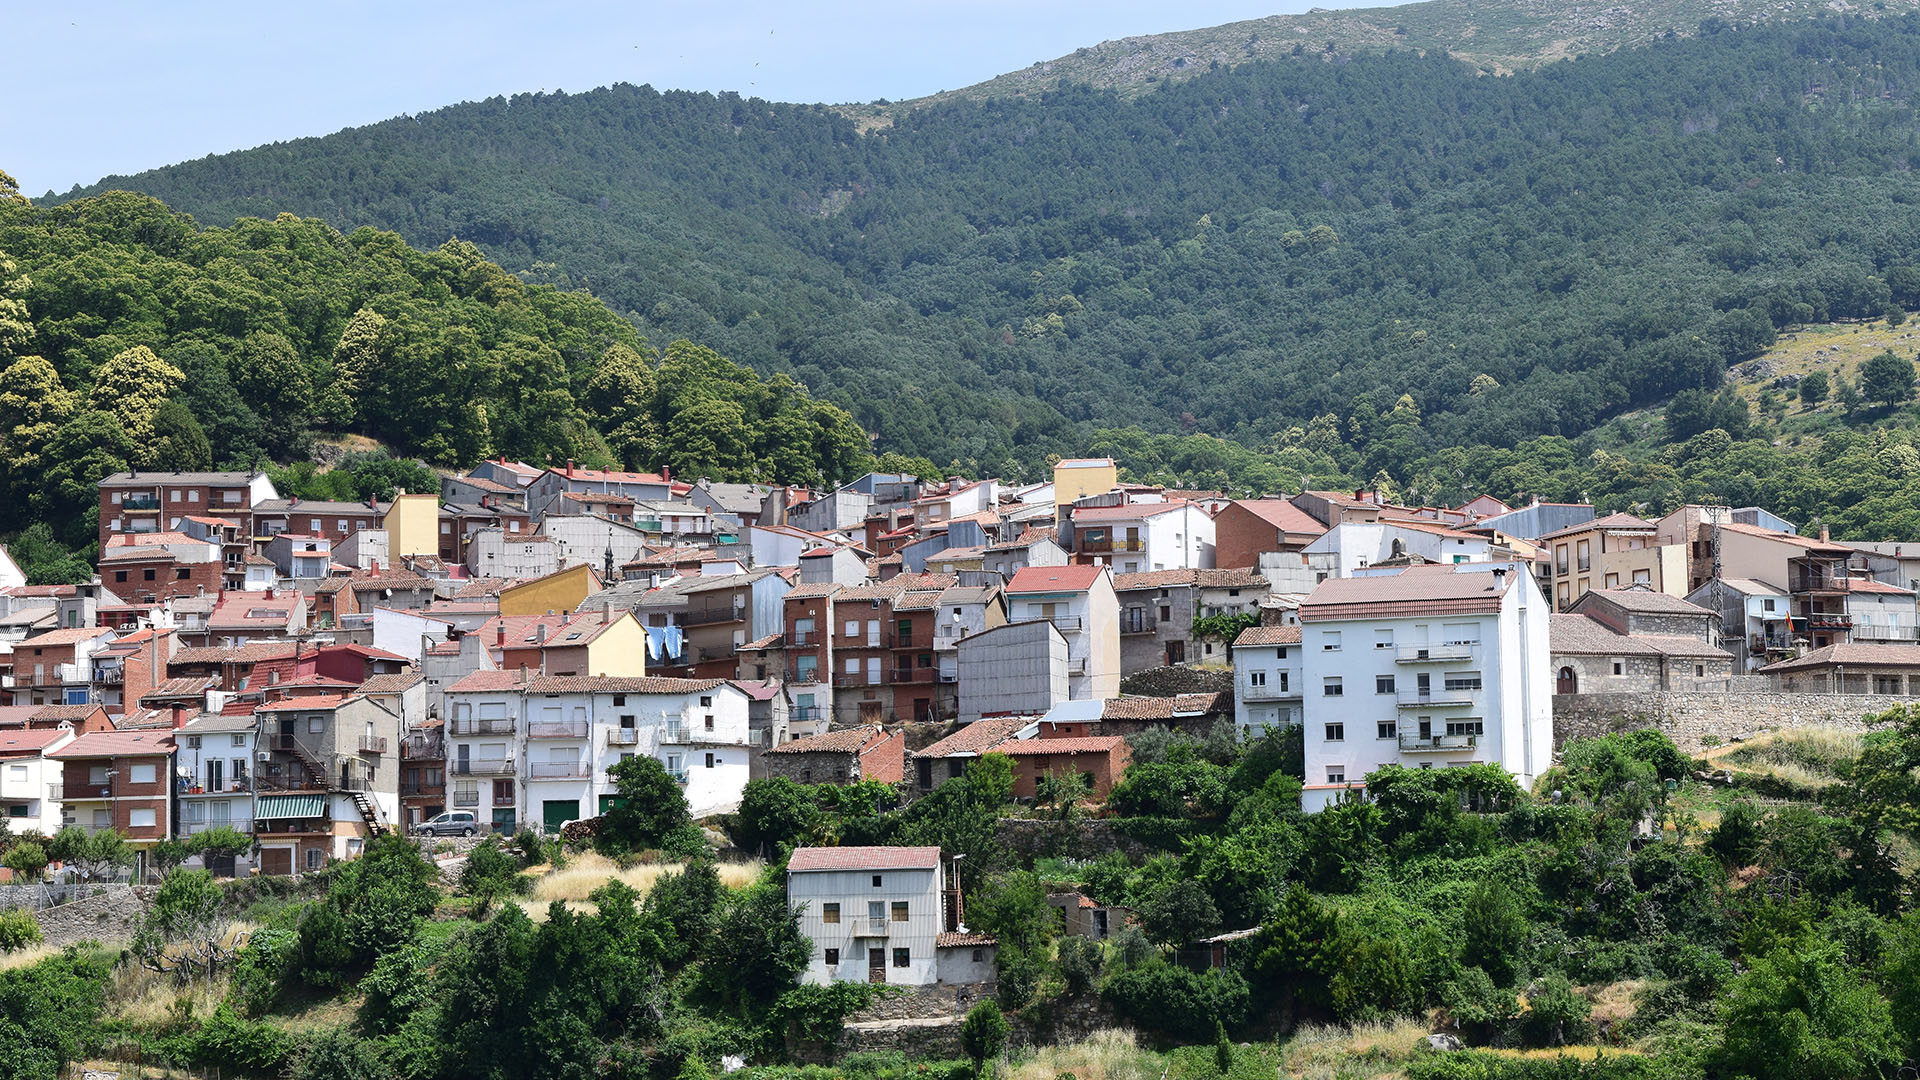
x=105, y=89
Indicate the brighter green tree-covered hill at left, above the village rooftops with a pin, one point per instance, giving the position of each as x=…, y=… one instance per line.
x=133, y=337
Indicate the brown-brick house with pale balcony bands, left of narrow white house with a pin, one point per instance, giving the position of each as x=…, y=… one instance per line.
x=120, y=779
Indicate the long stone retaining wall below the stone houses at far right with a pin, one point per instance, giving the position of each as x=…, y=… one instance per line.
x=1689, y=718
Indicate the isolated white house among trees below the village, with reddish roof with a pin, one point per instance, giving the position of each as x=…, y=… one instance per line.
x=884, y=916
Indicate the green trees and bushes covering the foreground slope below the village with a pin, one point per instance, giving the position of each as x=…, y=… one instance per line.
x=1623, y=921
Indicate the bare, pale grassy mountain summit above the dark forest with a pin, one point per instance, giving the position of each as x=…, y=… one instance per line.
x=1499, y=37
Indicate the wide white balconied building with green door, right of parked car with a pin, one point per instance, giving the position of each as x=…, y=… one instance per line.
x=539, y=752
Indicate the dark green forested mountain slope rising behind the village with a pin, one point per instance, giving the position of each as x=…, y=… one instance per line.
x=1234, y=255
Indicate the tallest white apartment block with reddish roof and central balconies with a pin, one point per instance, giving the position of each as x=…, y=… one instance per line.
x=1426, y=668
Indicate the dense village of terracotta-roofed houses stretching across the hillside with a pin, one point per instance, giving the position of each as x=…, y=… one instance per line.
x=318, y=674
